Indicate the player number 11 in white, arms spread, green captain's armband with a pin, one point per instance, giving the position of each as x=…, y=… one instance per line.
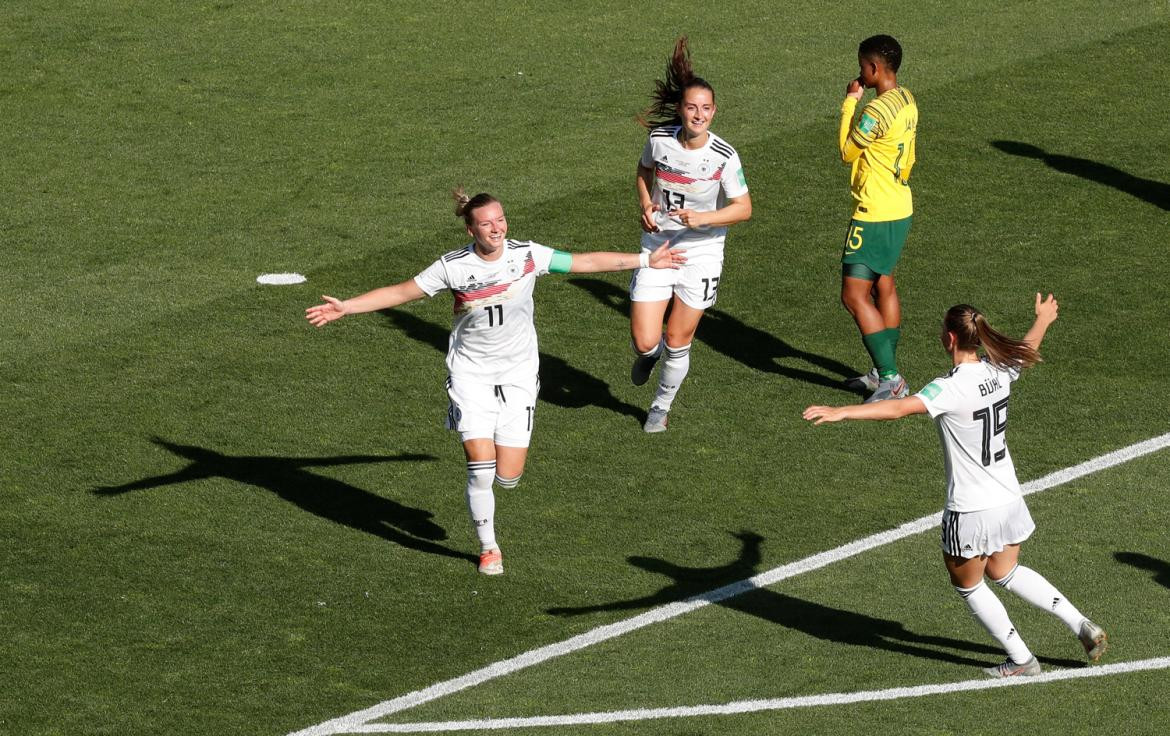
x=493, y=355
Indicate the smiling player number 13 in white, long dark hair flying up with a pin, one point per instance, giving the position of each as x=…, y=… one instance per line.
x=691, y=188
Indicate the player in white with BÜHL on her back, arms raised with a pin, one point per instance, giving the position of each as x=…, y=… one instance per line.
x=986, y=519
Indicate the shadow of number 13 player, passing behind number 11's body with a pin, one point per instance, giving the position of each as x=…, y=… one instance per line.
x=561, y=384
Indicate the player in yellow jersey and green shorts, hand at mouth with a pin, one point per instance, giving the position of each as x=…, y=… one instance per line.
x=880, y=149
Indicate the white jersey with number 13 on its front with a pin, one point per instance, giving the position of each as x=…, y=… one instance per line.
x=703, y=181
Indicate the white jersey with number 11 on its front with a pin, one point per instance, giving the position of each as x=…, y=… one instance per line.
x=494, y=338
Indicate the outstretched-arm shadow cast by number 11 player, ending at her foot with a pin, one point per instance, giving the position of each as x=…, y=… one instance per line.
x=318, y=494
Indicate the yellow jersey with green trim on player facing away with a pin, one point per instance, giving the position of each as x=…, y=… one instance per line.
x=880, y=146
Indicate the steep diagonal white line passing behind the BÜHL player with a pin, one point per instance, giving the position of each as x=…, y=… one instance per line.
x=354, y=723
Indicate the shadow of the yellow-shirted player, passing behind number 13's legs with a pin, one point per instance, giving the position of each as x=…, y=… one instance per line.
x=739, y=341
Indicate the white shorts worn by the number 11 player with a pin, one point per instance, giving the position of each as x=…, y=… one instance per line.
x=503, y=414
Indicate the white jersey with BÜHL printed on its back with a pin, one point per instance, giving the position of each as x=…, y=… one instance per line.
x=971, y=408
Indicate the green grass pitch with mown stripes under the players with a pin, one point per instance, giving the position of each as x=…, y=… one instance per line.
x=218, y=520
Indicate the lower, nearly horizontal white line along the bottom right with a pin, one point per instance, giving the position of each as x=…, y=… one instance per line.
x=756, y=706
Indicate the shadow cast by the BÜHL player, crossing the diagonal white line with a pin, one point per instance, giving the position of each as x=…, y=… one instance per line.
x=811, y=618
